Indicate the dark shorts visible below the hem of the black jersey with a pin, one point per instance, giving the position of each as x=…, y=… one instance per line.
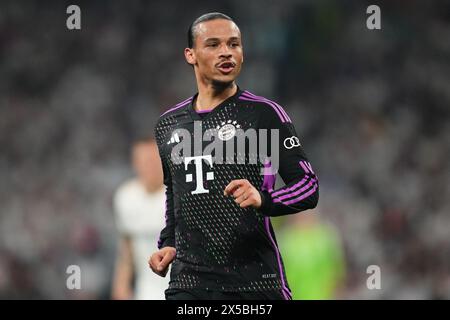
x=201, y=294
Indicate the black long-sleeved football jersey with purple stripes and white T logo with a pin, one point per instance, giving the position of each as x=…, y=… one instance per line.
x=219, y=245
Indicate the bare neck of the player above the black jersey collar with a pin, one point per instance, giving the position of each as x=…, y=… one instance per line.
x=212, y=95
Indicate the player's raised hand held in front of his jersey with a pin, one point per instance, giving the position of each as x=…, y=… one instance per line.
x=244, y=194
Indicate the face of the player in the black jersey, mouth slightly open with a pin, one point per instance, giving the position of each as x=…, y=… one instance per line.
x=217, y=54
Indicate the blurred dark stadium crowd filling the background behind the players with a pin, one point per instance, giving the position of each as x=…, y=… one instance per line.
x=371, y=107
